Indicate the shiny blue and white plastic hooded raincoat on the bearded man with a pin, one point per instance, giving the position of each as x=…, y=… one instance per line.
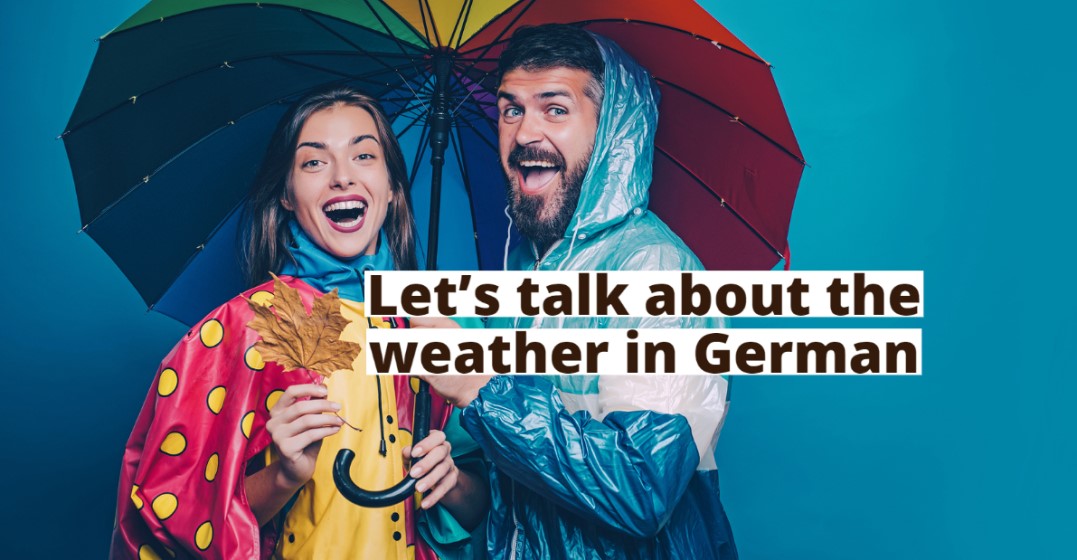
x=607, y=467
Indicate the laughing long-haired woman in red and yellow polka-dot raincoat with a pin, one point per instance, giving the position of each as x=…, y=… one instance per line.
x=232, y=457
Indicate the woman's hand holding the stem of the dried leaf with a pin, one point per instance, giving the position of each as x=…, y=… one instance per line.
x=299, y=423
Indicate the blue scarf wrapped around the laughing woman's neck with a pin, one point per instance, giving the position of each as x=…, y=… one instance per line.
x=325, y=272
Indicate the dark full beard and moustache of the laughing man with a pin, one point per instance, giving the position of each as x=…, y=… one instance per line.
x=544, y=219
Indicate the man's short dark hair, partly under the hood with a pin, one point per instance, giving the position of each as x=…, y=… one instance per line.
x=556, y=46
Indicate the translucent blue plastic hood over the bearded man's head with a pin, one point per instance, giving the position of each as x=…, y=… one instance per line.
x=619, y=177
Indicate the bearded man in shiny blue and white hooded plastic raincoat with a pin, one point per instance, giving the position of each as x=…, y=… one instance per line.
x=590, y=467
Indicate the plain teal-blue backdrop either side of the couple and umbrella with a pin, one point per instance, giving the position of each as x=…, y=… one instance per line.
x=938, y=134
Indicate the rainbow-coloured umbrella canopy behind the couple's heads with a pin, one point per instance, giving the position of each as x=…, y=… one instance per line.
x=183, y=99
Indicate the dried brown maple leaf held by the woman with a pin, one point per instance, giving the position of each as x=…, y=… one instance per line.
x=296, y=340
